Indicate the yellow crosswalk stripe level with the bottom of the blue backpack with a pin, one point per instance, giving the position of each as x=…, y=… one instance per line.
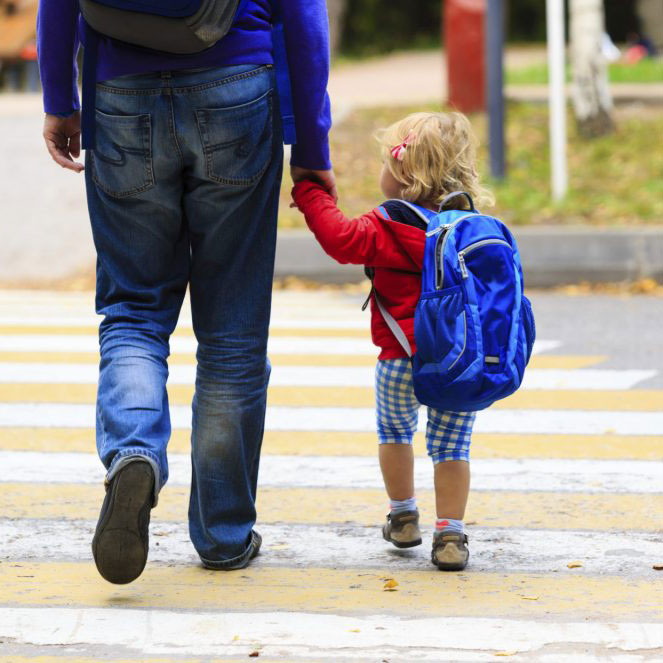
x=640, y=400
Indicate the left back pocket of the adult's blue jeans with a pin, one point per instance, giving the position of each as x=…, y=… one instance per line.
x=122, y=158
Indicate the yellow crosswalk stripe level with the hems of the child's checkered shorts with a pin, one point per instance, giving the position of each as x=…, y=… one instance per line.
x=306, y=443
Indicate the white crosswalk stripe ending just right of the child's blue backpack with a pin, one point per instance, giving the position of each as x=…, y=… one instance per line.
x=184, y=344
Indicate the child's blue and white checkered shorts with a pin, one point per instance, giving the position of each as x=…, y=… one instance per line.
x=447, y=433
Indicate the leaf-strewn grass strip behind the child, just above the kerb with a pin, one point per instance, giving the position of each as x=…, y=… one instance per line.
x=617, y=179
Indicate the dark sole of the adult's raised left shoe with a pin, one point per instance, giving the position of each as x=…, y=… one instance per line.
x=118, y=548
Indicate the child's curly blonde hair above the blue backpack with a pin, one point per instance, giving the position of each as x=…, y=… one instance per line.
x=440, y=157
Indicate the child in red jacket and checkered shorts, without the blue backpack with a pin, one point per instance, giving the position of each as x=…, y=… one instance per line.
x=425, y=157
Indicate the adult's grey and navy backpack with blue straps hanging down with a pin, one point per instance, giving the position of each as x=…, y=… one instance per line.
x=181, y=27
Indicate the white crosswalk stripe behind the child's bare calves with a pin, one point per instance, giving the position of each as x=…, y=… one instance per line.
x=594, y=476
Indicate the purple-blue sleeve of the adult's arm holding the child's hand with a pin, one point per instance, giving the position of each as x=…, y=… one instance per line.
x=306, y=30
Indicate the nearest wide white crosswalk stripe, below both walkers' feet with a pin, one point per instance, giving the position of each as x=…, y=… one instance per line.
x=306, y=636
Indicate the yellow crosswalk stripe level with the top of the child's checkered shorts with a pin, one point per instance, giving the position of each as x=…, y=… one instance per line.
x=558, y=362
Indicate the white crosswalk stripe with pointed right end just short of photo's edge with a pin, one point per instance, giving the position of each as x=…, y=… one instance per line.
x=326, y=376
